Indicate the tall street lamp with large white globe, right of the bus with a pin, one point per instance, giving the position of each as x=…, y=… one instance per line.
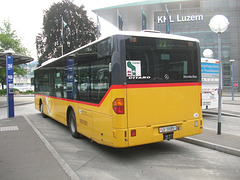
x=219, y=24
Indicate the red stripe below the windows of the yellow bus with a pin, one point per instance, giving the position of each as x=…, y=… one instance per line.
x=124, y=87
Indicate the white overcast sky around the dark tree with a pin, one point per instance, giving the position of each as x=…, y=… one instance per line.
x=26, y=16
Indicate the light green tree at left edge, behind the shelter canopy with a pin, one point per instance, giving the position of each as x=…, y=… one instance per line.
x=9, y=39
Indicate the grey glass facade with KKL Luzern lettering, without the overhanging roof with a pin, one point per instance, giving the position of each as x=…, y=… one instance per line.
x=191, y=18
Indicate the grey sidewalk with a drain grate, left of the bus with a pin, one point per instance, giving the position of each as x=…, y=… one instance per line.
x=23, y=154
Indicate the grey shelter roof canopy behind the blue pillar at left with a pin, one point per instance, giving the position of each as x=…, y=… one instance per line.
x=17, y=59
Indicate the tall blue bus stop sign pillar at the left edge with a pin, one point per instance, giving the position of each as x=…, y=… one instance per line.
x=10, y=89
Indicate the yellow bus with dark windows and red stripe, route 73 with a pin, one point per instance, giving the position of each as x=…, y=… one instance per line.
x=127, y=89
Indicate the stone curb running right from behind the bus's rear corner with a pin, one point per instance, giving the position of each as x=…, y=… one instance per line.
x=213, y=146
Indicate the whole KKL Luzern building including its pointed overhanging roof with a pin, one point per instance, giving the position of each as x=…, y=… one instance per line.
x=188, y=18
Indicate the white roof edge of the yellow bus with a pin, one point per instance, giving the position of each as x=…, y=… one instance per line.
x=146, y=33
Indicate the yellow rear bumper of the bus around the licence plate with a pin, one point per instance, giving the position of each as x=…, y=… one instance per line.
x=150, y=134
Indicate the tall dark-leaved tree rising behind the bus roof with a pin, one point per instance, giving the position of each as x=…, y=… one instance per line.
x=78, y=31
